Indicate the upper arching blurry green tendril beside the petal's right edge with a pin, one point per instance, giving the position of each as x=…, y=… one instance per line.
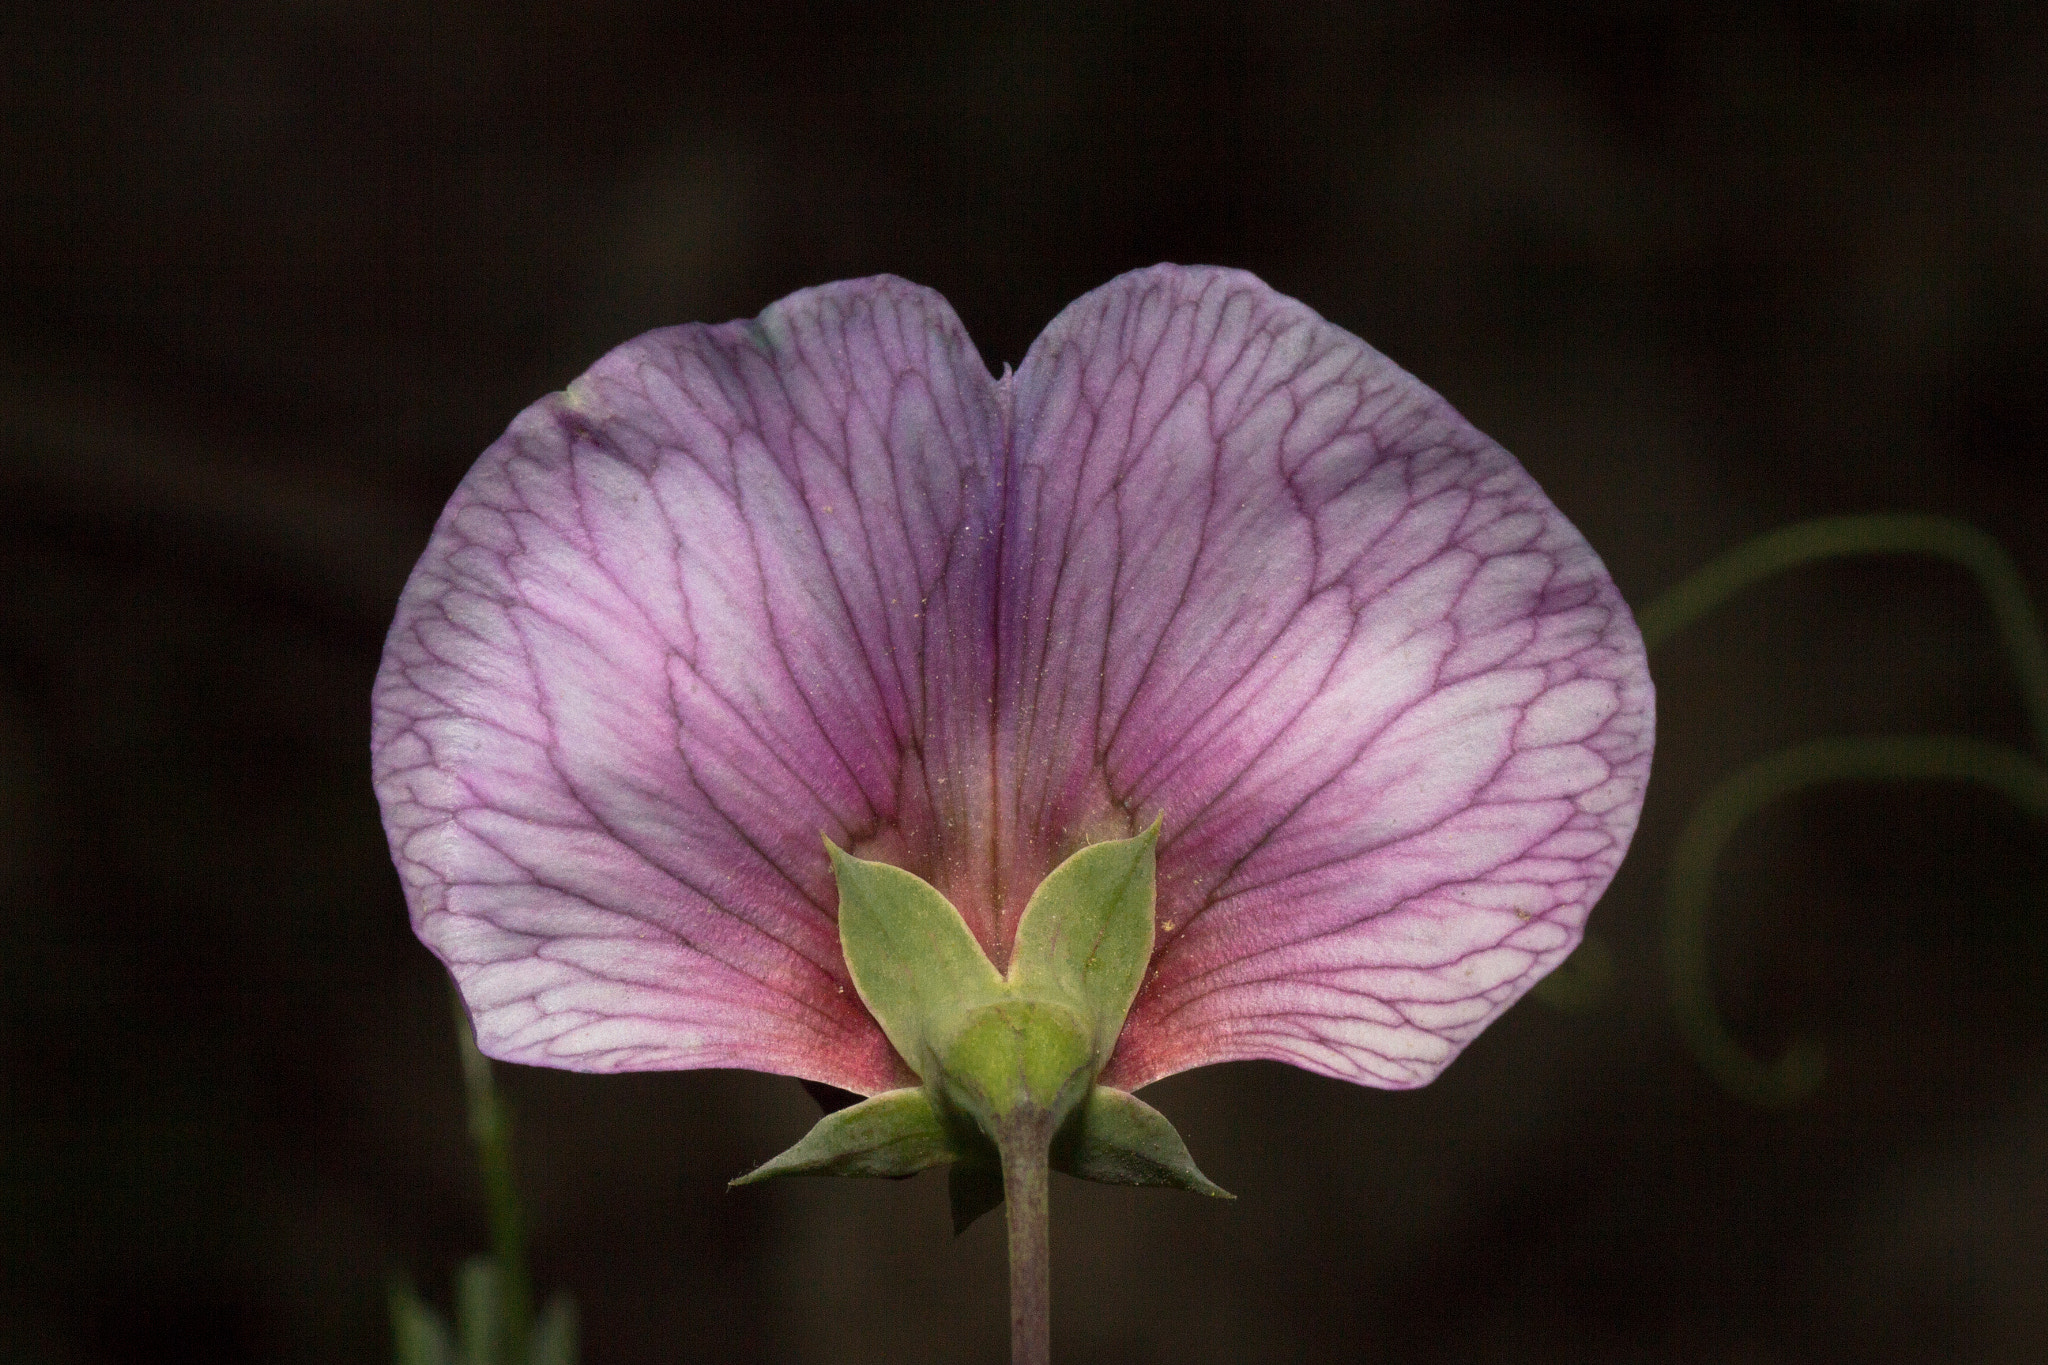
x=1906, y=533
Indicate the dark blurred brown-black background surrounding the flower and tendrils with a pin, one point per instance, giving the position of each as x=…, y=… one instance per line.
x=275, y=273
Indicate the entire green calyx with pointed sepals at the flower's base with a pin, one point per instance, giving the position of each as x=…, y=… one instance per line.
x=1007, y=1061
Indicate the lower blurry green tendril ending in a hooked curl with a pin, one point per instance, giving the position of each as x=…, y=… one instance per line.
x=1715, y=822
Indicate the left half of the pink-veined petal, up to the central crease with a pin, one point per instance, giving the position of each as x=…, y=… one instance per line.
x=726, y=595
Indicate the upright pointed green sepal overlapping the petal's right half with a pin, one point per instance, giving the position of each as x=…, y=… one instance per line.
x=1089, y=932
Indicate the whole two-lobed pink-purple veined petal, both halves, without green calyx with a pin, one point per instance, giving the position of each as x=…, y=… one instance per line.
x=1203, y=560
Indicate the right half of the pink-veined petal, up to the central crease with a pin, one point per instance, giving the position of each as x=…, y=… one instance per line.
x=1263, y=582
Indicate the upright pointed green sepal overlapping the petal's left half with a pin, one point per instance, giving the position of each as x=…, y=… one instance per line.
x=914, y=961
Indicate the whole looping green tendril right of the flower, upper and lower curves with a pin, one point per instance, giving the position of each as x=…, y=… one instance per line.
x=1691, y=885
